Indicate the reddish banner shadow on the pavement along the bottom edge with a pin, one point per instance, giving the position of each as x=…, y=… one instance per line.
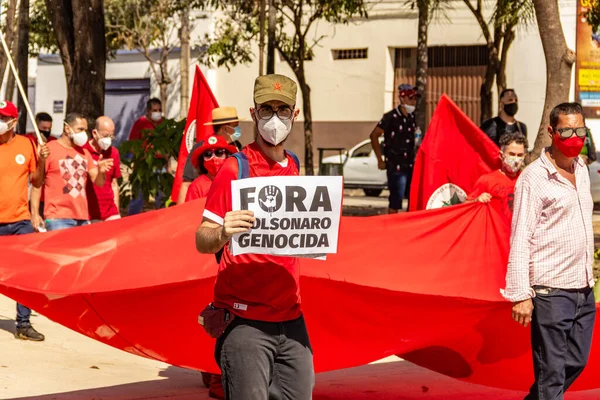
x=384, y=381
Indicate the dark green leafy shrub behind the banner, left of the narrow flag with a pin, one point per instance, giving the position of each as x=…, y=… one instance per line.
x=149, y=159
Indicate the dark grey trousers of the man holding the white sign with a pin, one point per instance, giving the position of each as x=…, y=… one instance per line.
x=266, y=360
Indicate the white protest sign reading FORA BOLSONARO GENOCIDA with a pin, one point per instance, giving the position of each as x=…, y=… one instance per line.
x=295, y=215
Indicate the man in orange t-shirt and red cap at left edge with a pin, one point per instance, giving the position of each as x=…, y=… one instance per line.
x=19, y=165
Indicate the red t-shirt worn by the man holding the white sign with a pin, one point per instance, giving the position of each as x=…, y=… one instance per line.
x=254, y=286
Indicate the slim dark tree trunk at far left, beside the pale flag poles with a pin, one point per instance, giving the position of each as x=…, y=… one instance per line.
x=23, y=62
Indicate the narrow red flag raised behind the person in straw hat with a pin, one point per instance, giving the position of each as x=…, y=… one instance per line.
x=201, y=105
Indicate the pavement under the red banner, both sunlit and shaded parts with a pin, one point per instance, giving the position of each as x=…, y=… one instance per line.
x=69, y=366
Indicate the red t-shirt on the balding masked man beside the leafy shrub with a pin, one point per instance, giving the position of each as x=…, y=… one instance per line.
x=101, y=200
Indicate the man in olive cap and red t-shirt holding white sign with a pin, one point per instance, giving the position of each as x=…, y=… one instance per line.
x=263, y=345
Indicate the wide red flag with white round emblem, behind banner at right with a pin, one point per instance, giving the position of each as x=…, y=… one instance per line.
x=454, y=154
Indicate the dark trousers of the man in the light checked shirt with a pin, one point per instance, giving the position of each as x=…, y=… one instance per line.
x=561, y=338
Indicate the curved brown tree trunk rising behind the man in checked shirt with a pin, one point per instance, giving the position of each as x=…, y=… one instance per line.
x=559, y=63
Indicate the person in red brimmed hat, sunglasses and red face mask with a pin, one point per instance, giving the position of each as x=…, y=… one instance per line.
x=208, y=158
